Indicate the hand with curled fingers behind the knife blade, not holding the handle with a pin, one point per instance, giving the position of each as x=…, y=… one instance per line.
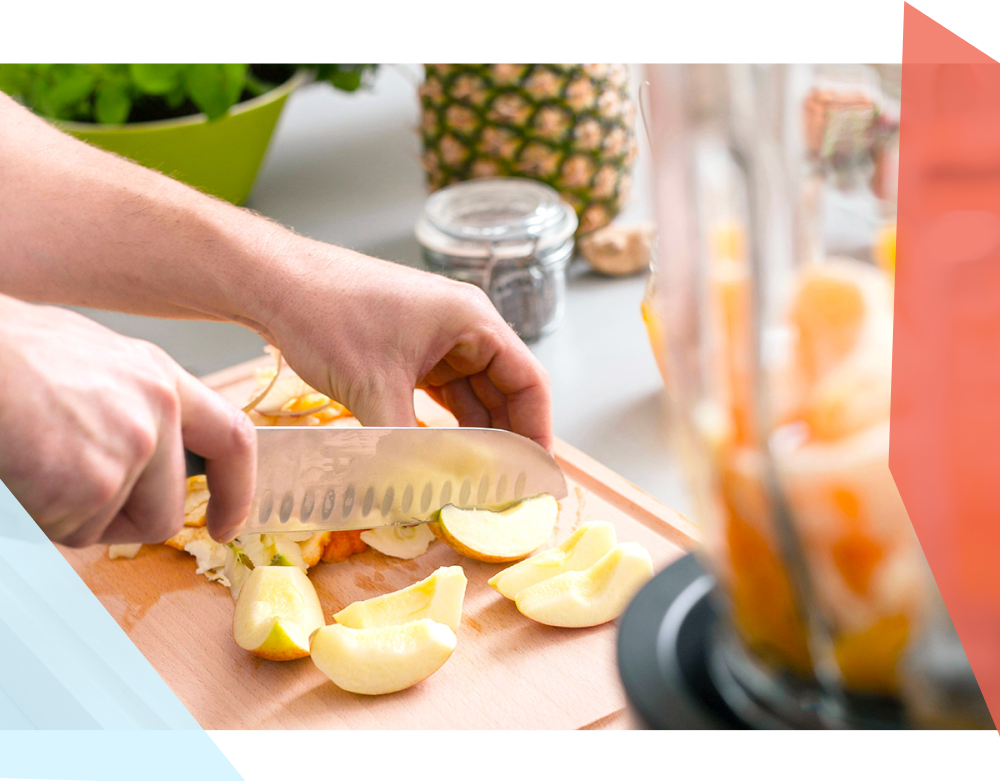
x=368, y=332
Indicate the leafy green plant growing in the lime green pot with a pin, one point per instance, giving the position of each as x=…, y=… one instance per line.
x=114, y=93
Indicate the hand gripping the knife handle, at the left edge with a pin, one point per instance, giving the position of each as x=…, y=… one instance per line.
x=94, y=425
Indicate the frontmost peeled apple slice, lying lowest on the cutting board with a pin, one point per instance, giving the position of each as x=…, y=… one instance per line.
x=381, y=660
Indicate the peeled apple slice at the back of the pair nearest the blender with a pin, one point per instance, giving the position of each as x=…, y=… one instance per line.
x=578, y=551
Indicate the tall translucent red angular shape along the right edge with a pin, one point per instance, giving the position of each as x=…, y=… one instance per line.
x=945, y=435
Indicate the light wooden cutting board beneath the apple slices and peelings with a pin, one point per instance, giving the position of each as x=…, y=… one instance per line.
x=507, y=673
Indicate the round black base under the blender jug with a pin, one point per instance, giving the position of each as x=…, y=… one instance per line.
x=681, y=671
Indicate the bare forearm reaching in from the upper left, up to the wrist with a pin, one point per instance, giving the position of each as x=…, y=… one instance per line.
x=80, y=226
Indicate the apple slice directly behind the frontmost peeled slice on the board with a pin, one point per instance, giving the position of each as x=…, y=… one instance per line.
x=438, y=597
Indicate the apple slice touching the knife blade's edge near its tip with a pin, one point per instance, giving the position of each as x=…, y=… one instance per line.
x=498, y=535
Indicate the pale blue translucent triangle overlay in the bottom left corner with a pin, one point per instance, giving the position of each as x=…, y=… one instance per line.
x=66, y=665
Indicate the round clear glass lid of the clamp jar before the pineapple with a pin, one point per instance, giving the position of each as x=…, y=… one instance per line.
x=499, y=217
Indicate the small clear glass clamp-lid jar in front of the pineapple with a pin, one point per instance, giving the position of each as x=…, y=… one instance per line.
x=511, y=237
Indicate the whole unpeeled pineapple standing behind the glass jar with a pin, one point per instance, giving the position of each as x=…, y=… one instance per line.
x=570, y=125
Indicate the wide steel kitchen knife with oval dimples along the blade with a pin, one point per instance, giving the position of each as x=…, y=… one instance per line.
x=323, y=479
